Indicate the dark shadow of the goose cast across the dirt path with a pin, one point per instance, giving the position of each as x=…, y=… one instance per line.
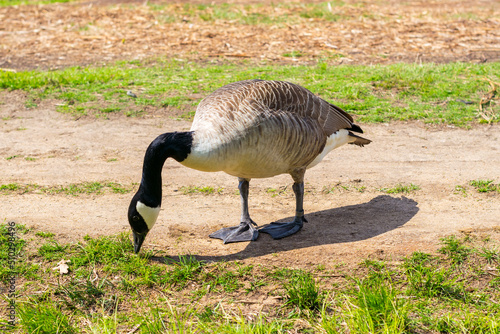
x=333, y=226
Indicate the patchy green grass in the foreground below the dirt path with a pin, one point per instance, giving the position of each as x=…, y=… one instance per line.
x=110, y=289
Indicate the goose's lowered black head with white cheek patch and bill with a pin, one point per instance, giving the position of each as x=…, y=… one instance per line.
x=141, y=218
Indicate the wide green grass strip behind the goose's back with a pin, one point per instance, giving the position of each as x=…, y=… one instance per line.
x=398, y=92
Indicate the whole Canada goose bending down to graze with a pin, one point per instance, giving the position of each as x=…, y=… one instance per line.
x=248, y=129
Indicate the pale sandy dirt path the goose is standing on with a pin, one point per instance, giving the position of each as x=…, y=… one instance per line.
x=346, y=225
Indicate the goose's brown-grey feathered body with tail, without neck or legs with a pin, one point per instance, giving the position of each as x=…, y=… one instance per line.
x=257, y=128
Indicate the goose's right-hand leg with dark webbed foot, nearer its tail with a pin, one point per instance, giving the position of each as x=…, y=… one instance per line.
x=282, y=230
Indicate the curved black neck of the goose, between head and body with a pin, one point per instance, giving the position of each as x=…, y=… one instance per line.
x=173, y=144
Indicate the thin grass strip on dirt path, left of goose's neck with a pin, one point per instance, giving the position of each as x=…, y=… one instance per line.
x=73, y=189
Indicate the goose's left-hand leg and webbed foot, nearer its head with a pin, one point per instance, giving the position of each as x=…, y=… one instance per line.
x=246, y=231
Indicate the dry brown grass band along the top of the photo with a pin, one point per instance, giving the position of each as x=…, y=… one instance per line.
x=350, y=32
